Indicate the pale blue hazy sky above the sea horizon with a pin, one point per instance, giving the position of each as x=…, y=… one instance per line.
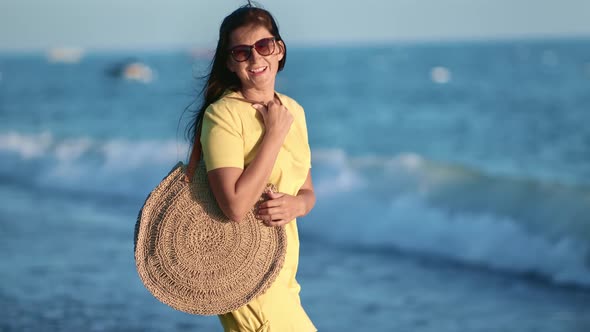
x=149, y=24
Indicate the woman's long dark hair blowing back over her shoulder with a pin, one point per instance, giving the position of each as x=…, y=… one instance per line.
x=220, y=78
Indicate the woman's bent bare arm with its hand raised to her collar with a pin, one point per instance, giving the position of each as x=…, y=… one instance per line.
x=237, y=190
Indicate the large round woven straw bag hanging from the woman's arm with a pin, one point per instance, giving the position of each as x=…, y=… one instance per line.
x=193, y=258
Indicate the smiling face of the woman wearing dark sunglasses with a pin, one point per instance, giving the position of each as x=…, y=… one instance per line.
x=258, y=72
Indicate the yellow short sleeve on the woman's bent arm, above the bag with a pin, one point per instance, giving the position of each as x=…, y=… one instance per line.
x=221, y=138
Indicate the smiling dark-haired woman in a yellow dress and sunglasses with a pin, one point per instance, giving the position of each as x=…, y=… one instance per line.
x=252, y=135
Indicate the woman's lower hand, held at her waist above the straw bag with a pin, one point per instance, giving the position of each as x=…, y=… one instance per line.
x=280, y=209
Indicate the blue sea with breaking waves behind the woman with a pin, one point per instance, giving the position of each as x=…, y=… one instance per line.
x=452, y=182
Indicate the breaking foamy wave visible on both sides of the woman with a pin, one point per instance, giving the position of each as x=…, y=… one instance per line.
x=406, y=201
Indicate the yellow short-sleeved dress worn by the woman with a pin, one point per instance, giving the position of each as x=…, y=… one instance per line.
x=231, y=135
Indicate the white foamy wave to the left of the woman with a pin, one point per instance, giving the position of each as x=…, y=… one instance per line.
x=117, y=166
